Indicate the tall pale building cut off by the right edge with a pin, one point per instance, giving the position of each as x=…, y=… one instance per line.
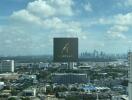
x=130, y=75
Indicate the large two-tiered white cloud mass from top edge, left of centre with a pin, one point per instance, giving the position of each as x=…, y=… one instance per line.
x=42, y=14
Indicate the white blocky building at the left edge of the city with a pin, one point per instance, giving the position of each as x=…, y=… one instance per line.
x=6, y=66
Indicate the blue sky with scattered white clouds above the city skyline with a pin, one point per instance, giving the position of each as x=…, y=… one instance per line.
x=27, y=27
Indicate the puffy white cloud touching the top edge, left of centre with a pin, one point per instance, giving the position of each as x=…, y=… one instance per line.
x=46, y=8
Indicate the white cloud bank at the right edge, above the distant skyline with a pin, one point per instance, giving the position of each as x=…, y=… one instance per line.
x=119, y=25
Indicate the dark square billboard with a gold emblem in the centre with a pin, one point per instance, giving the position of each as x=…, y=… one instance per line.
x=65, y=49
